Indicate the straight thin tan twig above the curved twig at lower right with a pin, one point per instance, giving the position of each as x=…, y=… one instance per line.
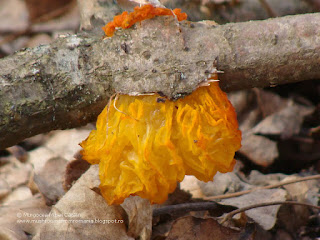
x=231, y=195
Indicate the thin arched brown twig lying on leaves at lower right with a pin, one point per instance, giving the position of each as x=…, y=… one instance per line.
x=231, y=214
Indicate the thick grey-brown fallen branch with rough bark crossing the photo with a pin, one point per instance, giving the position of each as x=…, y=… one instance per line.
x=67, y=83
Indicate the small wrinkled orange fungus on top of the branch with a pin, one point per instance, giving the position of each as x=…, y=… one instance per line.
x=126, y=20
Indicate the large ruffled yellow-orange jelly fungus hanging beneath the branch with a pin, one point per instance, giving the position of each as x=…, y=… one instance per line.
x=154, y=142
